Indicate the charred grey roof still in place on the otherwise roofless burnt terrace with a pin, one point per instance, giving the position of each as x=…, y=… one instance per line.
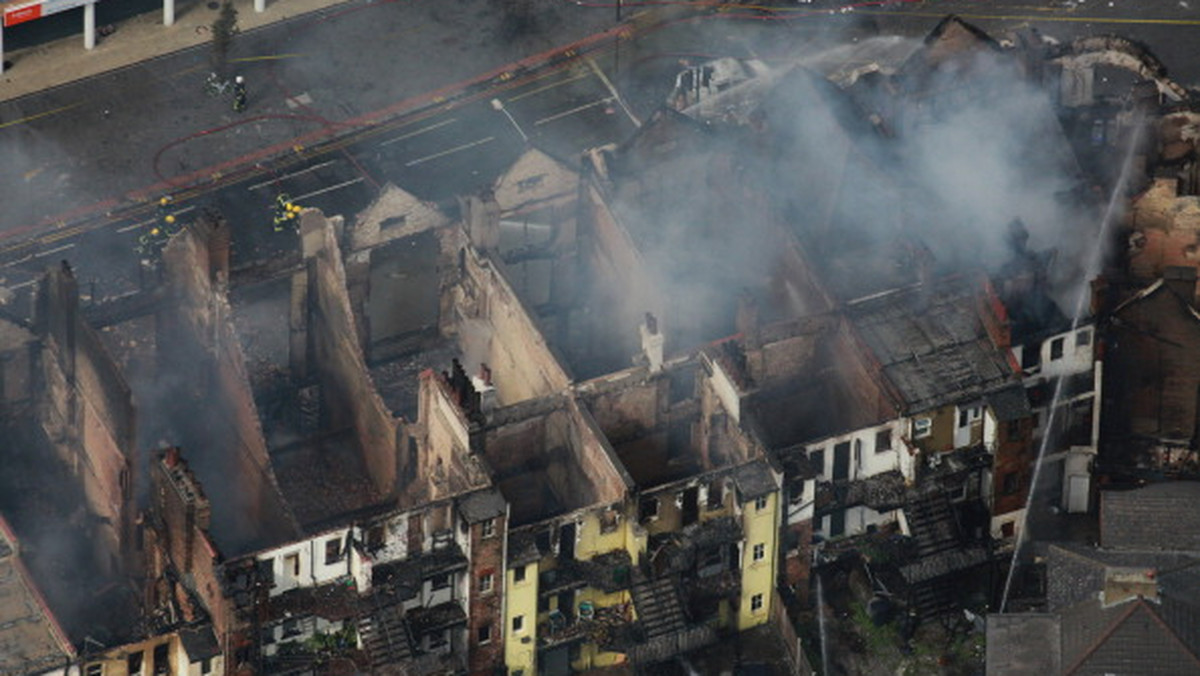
x=932, y=344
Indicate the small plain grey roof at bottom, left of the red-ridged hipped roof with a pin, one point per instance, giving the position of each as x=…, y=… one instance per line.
x=1023, y=644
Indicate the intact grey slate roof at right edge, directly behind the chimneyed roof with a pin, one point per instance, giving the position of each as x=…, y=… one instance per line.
x=1160, y=517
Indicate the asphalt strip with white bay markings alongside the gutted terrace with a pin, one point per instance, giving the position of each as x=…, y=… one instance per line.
x=435, y=154
